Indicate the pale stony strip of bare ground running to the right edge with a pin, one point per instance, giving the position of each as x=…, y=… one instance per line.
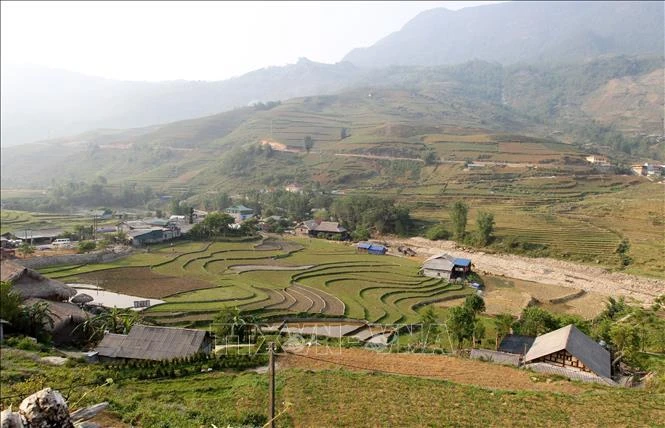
x=544, y=270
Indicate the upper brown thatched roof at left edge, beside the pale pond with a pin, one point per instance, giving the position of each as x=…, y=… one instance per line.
x=30, y=283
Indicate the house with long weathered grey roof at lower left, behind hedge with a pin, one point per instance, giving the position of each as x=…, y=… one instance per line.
x=155, y=343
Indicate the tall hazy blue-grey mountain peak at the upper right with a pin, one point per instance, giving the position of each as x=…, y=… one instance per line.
x=515, y=32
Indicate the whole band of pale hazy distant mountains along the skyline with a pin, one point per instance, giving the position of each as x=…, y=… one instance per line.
x=39, y=103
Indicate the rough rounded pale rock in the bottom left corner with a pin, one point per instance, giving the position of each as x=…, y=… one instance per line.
x=45, y=409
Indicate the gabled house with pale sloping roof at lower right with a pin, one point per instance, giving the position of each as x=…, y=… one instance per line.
x=571, y=349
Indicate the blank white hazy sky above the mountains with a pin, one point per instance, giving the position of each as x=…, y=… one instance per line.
x=194, y=40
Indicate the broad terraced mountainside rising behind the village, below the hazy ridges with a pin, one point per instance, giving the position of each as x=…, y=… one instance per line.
x=460, y=112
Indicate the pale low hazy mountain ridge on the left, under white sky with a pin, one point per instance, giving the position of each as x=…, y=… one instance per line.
x=40, y=103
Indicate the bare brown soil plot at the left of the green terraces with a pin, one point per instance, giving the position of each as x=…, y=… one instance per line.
x=141, y=282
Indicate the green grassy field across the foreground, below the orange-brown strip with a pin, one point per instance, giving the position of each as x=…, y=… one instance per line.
x=332, y=397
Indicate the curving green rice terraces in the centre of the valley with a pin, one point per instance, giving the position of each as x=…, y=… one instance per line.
x=267, y=278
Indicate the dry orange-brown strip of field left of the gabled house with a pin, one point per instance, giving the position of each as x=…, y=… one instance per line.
x=453, y=369
